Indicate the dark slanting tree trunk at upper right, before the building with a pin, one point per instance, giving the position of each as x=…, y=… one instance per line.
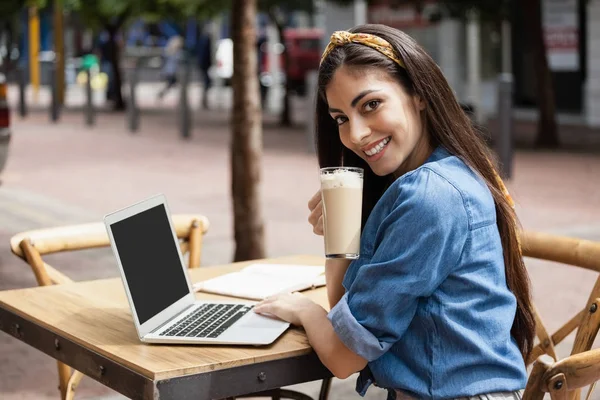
x=547, y=132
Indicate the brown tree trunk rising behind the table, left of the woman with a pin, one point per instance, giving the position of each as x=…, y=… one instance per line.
x=246, y=145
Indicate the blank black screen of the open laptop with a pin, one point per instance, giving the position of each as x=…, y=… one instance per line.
x=150, y=261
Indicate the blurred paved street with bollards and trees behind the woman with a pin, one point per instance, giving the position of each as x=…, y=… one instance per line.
x=92, y=128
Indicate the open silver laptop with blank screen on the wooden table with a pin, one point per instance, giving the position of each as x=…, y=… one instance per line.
x=163, y=304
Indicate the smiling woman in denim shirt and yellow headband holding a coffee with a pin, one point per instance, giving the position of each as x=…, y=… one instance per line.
x=438, y=305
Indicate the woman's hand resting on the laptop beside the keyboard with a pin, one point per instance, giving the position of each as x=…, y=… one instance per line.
x=290, y=307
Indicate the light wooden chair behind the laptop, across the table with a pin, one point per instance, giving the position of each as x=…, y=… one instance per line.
x=30, y=246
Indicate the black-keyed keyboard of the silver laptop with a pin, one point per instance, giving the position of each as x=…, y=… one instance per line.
x=208, y=321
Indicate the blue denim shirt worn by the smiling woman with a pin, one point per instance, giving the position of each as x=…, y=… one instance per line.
x=427, y=304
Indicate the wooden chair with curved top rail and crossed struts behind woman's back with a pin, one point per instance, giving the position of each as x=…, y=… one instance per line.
x=575, y=252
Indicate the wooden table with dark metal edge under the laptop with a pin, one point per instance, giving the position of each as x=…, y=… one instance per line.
x=88, y=325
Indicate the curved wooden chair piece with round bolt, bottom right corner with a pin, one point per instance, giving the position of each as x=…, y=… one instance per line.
x=562, y=378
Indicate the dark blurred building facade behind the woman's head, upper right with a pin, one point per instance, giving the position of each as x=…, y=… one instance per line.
x=571, y=30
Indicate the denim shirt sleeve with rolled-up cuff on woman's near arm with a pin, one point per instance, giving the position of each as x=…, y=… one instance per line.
x=418, y=241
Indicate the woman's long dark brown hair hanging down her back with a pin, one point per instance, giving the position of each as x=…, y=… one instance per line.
x=448, y=125
